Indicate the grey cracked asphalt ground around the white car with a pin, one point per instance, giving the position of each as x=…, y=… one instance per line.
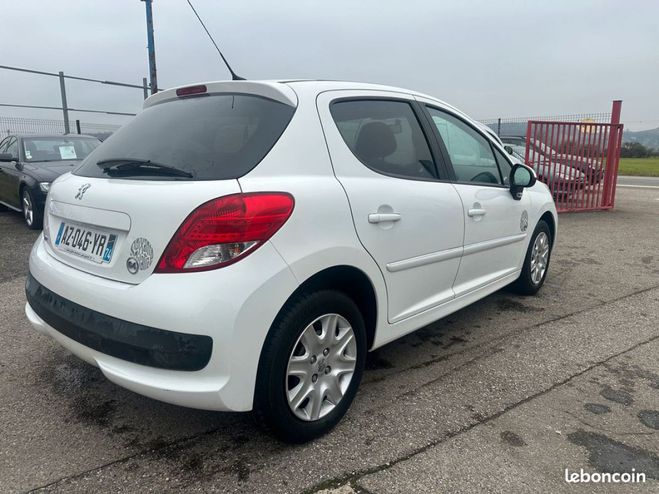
x=502, y=396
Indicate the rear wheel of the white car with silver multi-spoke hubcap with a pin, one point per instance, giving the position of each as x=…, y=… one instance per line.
x=289, y=344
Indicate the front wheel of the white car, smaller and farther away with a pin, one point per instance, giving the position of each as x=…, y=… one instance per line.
x=537, y=258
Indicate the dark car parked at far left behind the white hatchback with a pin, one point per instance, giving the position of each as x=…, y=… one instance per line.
x=28, y=164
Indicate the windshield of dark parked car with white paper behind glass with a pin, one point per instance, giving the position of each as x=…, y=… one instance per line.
x=63, y=148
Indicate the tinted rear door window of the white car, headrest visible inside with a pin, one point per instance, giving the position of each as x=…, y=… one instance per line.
x=386, y=136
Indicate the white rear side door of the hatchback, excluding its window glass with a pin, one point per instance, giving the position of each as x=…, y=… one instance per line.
x=420, y=273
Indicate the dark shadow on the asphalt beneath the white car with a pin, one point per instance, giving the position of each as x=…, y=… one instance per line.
x=139, y=423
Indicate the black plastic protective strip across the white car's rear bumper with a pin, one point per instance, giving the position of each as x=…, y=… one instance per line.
x=118, y=338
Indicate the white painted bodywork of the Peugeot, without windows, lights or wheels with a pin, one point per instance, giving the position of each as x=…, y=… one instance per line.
x=437, y=259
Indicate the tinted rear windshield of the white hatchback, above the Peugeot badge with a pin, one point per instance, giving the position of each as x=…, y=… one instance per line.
x=213, y=137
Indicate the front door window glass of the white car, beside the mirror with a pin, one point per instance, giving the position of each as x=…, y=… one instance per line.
x=471, y=154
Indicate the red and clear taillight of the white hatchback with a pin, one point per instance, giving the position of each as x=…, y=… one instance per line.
x=224, y=230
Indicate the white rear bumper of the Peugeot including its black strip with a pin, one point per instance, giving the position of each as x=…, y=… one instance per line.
x=189, y=339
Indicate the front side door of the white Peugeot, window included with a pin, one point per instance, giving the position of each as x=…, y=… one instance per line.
x=496, y=225
